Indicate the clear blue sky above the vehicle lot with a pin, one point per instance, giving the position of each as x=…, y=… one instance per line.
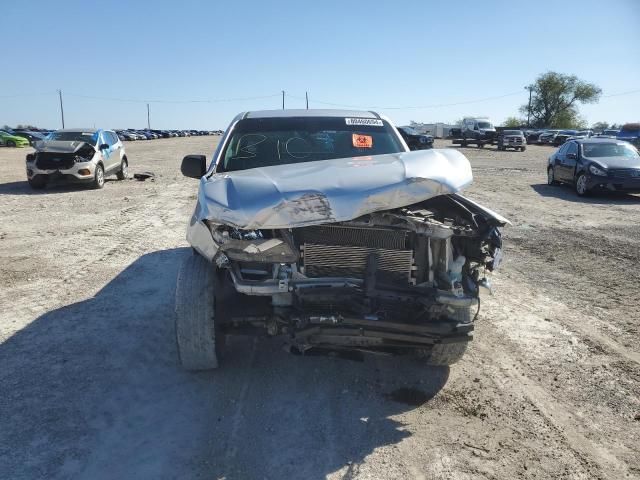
x=372, y=54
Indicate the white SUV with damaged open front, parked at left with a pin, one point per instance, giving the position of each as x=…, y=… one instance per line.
x=77, y=155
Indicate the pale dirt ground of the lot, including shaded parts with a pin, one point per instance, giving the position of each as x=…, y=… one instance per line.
x=90, y=386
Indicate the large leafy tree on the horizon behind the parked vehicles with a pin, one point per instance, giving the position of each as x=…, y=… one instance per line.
x=555, y=98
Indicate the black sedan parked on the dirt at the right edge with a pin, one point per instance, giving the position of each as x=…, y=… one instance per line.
x=596, y=164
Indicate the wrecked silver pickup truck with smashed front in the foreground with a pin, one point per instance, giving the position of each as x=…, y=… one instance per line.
x=322, y=228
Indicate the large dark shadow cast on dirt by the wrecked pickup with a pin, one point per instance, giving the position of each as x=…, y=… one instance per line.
x=93, y=390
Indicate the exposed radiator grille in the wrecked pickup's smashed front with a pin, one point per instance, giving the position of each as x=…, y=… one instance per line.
x=341, y=251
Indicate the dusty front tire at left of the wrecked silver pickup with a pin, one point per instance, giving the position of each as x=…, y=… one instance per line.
x=195, y=314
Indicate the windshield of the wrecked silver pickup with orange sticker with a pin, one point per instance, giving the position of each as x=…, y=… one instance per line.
x=262, y=142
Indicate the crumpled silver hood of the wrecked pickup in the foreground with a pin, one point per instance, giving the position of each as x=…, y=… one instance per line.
x=311, y=193
